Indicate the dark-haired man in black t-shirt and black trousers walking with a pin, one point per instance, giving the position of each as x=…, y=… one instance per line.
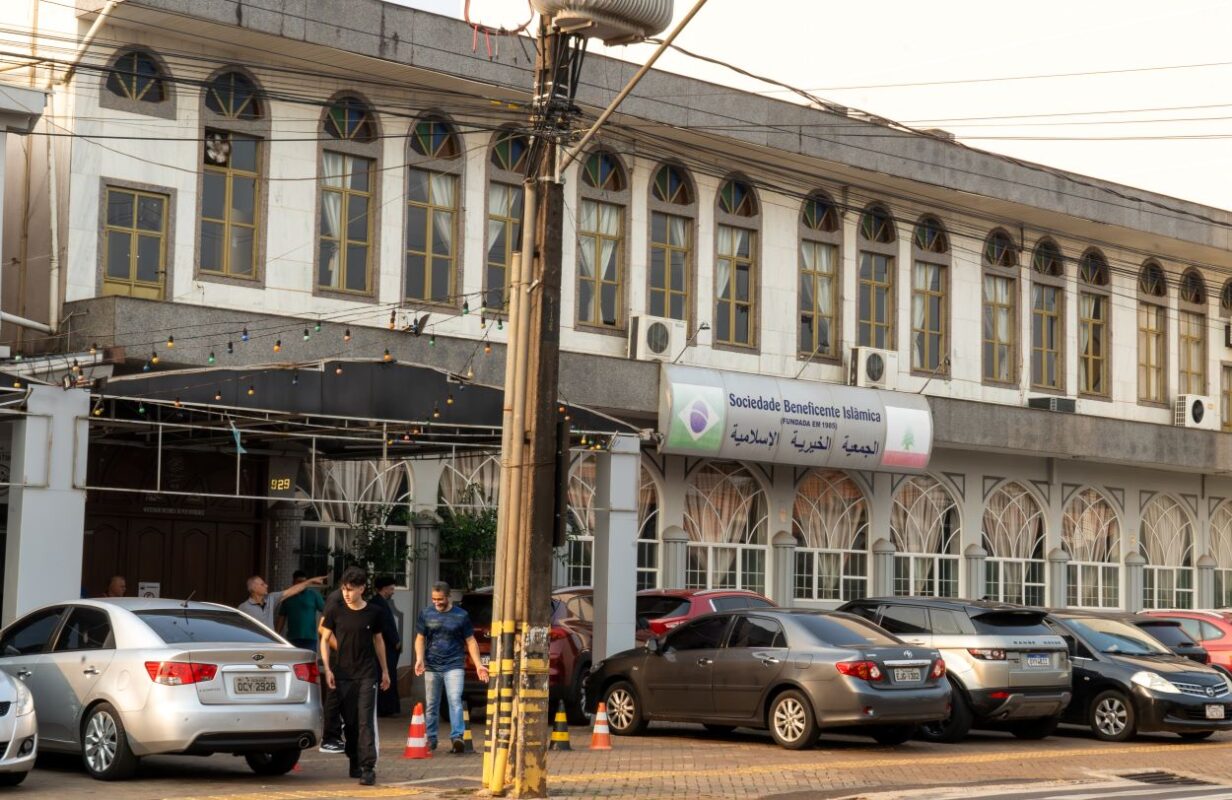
x=354, y=670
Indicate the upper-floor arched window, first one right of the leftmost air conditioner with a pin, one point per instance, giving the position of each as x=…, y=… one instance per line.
x=737, y=276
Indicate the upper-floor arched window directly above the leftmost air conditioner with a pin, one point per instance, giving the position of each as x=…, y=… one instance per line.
x=673, y=213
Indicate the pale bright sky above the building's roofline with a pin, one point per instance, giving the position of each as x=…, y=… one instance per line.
x=1162, y=120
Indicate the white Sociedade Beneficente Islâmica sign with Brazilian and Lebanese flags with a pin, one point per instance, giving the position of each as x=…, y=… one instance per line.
x=758, y=418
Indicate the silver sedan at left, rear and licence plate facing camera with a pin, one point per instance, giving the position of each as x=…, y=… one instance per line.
x=124, y=679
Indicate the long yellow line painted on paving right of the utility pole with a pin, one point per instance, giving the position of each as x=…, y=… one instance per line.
x=875, y=764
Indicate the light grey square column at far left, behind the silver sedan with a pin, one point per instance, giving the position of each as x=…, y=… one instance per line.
x=46, y=510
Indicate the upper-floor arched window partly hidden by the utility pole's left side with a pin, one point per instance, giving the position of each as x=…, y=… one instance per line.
x=507, y=169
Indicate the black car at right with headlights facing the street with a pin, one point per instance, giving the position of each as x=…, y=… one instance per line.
x=1128, y=682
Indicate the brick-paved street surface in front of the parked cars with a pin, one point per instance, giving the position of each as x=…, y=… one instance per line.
x=688, y=762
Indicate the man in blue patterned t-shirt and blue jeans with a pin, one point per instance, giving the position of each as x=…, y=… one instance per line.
x=444, y=637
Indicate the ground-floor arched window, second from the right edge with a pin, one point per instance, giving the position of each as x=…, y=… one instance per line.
x=1167, y=543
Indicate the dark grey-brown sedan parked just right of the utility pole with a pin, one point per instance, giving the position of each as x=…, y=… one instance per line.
x=794, y=672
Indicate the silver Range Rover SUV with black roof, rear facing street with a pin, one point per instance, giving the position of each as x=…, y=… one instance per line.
x=1010, y=671
